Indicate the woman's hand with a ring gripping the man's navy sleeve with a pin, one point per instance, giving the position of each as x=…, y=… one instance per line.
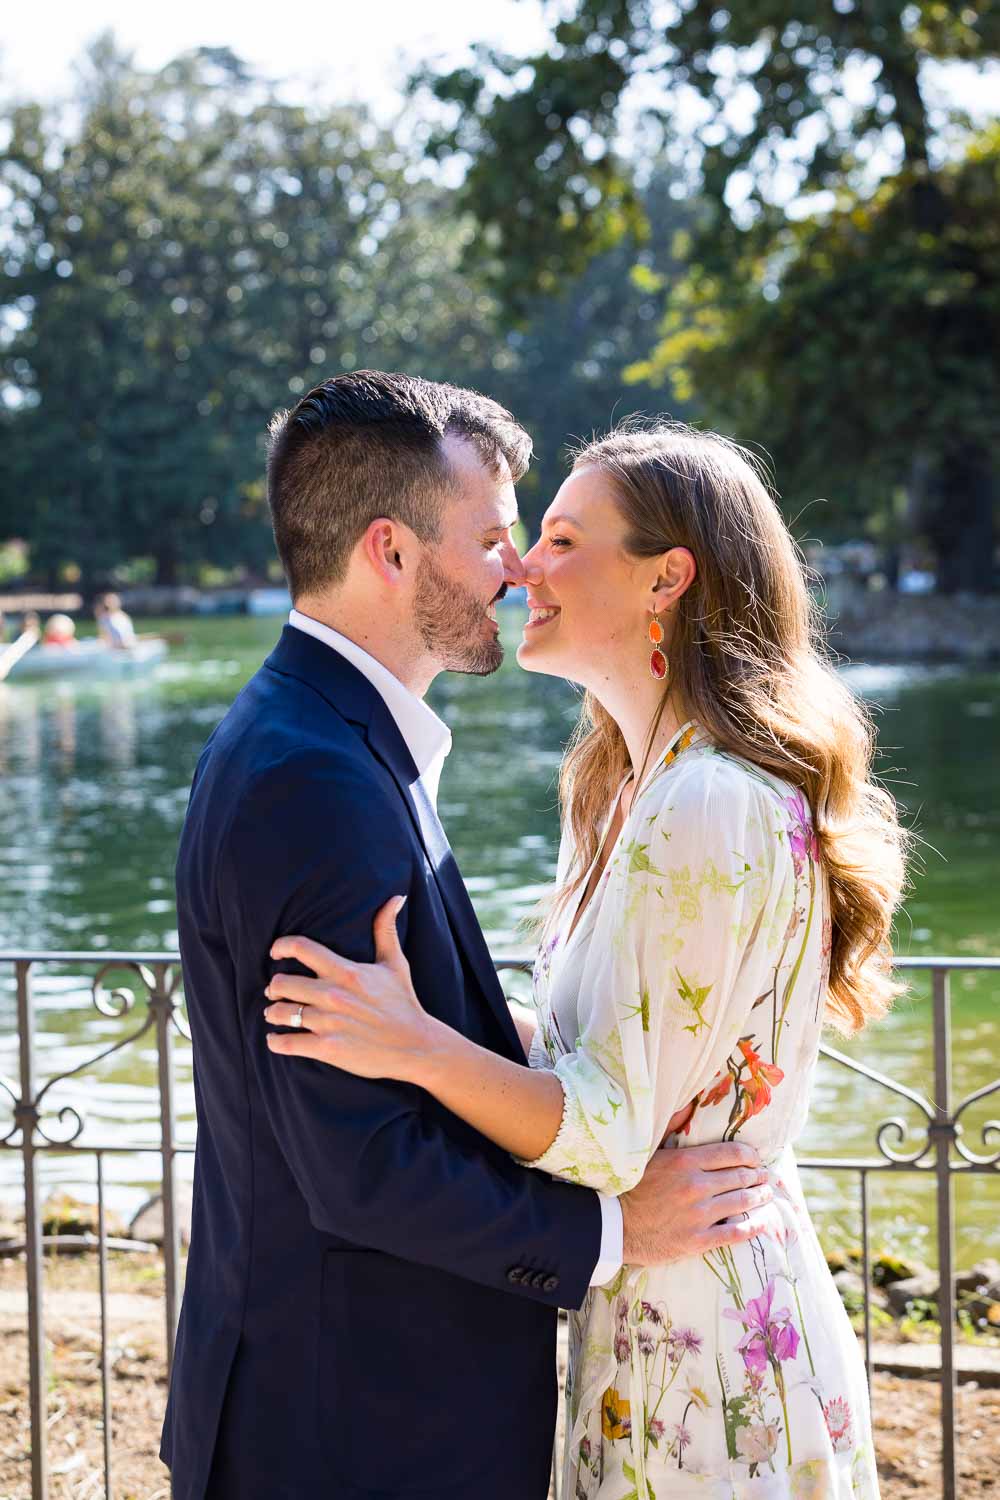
x=364, y=1018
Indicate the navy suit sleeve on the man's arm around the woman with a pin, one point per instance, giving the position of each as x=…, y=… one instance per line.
x=316, y=850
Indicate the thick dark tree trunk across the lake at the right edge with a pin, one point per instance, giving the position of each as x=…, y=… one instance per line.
x=962, y=526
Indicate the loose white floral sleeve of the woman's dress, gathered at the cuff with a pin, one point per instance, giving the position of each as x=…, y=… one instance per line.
x=687, y=944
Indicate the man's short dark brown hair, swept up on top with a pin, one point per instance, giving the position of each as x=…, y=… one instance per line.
x=370, y=445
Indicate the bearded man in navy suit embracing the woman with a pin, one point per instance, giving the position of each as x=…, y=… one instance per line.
x=373, y=1286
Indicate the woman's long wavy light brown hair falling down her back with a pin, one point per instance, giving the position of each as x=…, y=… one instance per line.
x=749, y=665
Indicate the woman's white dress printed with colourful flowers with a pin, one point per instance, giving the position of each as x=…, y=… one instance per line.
x=698, y=971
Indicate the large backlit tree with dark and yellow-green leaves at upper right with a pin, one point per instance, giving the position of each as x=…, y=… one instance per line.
x=782, y=125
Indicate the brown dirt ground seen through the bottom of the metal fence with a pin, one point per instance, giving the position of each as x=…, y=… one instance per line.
x=906, y=1411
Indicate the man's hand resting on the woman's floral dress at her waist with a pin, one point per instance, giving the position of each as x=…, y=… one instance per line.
x=686, y=1195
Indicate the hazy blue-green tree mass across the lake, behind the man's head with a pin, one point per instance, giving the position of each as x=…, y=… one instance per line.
x=191, y=254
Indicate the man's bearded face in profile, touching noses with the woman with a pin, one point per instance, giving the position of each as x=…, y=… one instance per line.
x=463, y=578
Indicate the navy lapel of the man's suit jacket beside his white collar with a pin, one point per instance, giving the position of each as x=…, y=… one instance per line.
x=355, y=698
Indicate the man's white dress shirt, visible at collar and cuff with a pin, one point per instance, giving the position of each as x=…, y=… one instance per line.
x=430, y=742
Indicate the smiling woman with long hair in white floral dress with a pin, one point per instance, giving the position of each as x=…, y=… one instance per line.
x=726, y=883
